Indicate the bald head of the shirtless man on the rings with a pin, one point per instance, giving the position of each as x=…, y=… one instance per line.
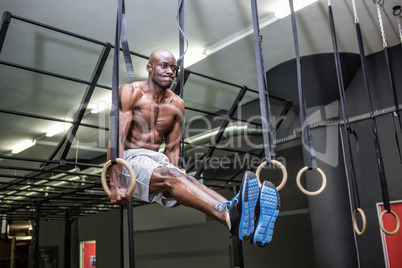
x=162, y=70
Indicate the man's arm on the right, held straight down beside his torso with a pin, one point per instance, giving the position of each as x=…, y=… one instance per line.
x=172, y=149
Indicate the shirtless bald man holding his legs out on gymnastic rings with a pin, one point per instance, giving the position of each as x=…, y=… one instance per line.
x=151, y=113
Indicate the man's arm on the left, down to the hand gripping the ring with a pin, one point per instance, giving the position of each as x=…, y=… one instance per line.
x=127, y=97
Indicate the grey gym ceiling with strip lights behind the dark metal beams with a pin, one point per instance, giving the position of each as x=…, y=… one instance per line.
x=152, y=25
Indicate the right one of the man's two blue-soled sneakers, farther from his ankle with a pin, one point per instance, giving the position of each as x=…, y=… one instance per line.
x=267, y=210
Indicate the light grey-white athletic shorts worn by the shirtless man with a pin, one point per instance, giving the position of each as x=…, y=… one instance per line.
x=144, y=163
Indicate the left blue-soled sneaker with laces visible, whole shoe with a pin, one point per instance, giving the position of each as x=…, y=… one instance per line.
x=242, y=207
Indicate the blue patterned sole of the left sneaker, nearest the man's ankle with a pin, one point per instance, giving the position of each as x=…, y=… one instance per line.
x=249, y=198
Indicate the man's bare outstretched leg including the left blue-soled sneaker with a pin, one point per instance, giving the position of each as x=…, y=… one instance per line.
x=237, y=214
